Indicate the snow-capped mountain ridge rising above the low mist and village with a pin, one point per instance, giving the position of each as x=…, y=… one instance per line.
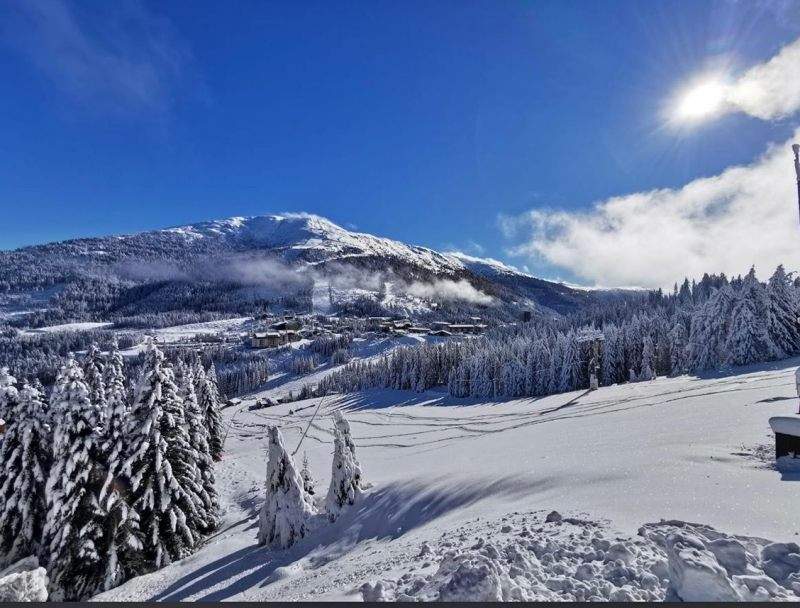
x=203, y=252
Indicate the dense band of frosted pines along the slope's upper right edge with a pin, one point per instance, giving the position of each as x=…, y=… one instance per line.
x=700, y=326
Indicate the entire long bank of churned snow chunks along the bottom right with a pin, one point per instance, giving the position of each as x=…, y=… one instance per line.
x=532, y=557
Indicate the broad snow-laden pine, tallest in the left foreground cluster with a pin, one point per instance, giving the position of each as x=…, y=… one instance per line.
x=165, y=509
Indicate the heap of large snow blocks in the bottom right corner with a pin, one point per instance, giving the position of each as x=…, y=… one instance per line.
x=706, y=565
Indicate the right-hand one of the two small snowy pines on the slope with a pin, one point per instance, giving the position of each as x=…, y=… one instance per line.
x=346, y=481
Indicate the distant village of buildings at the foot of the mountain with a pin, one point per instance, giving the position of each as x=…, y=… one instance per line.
x=284, y=329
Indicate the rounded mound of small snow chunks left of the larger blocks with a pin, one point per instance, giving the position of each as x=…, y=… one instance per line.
x=530, y=559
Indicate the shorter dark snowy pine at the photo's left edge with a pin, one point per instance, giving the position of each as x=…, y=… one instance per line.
x=25, y=457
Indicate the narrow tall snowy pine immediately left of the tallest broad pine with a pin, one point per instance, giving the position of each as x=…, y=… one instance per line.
x=122, y=542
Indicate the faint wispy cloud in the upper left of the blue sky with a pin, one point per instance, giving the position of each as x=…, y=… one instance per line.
x=116, y=57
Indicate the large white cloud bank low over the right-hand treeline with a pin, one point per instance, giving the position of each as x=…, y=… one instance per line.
x=726, y=223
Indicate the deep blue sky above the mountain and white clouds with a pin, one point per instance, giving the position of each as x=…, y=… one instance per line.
x=437, y=123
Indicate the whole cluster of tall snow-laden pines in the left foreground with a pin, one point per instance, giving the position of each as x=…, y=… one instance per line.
x=101, y=481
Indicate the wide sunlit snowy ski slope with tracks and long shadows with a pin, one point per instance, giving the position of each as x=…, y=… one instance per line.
x=451, y=475
